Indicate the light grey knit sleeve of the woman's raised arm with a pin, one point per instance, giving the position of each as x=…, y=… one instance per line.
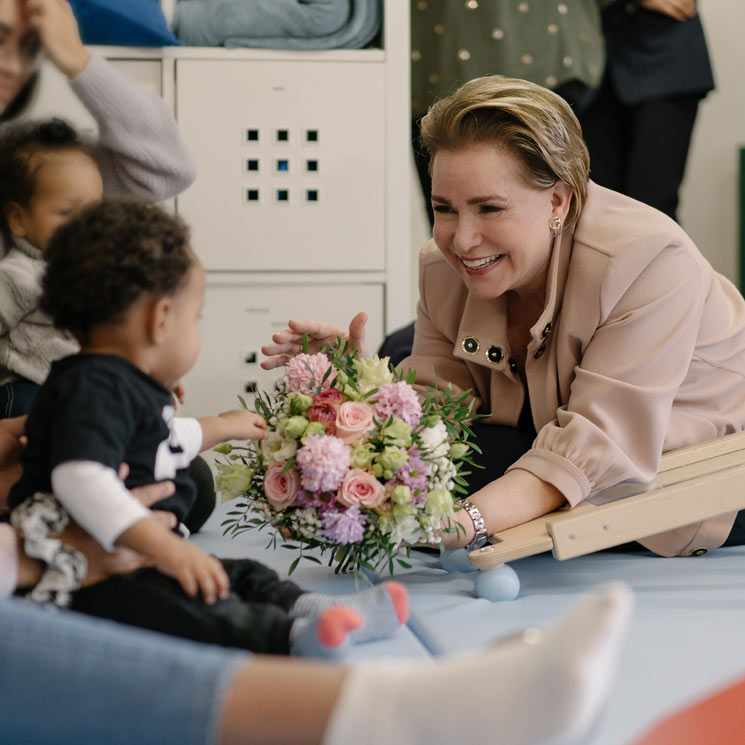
x=139, y=148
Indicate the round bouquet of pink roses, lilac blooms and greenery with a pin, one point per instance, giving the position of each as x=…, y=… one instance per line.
x=356, y=462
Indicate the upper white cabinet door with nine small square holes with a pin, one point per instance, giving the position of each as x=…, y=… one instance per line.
x=290, y=163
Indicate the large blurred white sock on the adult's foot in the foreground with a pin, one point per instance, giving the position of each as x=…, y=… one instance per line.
x=514, y=693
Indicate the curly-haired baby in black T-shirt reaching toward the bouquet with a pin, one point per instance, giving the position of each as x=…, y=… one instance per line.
x=123, y=280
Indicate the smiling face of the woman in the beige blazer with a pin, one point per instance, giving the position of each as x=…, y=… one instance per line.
x=490, y=224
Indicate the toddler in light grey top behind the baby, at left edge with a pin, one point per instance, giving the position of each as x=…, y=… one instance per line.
x=46, y=175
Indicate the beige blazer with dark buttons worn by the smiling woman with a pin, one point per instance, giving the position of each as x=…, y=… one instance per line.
x=640, y=349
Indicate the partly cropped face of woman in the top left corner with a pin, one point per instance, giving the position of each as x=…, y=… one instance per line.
x=19, y=51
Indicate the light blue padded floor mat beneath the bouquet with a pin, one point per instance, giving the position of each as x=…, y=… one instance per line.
x=687, y=636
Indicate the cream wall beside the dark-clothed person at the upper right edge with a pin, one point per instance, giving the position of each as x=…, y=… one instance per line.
x=709, y=197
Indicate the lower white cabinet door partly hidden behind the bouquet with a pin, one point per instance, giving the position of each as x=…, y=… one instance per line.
x=239, y=318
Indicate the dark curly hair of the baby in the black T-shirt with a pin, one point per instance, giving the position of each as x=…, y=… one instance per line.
x=109, y=255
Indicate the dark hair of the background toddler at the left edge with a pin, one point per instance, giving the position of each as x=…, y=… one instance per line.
x=18, y=144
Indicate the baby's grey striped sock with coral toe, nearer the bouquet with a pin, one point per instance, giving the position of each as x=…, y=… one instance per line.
x=383, y=609
